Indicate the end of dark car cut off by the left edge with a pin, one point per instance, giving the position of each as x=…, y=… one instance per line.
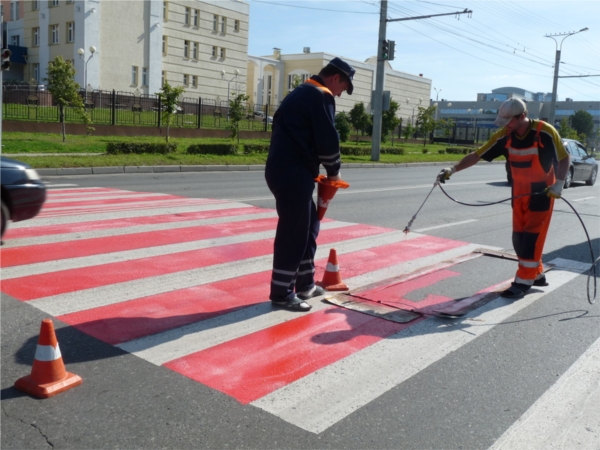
x=23, y=193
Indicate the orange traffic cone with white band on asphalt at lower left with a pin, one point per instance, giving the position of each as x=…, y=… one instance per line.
x=48, y=374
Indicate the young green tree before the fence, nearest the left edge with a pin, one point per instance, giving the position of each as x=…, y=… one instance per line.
x=65, y=91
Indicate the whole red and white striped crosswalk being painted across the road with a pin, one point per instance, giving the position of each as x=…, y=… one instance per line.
x=183, y=283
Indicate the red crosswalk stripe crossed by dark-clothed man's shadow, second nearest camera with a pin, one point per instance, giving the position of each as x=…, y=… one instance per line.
x=134, y=319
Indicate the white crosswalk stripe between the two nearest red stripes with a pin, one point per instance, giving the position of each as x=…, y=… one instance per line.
x=169, y=345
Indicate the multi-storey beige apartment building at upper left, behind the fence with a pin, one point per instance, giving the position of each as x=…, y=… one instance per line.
x=133, y=45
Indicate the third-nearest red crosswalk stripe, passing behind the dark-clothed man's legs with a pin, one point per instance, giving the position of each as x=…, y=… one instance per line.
x=54, y=283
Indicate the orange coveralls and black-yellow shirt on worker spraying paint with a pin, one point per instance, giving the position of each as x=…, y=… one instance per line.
x=531, y=158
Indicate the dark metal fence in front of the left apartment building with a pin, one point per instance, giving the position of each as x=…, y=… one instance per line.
x=125, y=108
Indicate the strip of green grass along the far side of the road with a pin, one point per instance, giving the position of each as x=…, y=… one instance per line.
x=23, y=143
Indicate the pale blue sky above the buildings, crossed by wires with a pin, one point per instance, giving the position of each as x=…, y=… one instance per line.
x=502, y=43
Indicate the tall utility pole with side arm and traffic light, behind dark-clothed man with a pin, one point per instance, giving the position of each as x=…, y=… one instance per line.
x=379, y=77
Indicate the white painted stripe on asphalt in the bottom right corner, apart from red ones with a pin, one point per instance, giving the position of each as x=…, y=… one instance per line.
x=566, y=416
